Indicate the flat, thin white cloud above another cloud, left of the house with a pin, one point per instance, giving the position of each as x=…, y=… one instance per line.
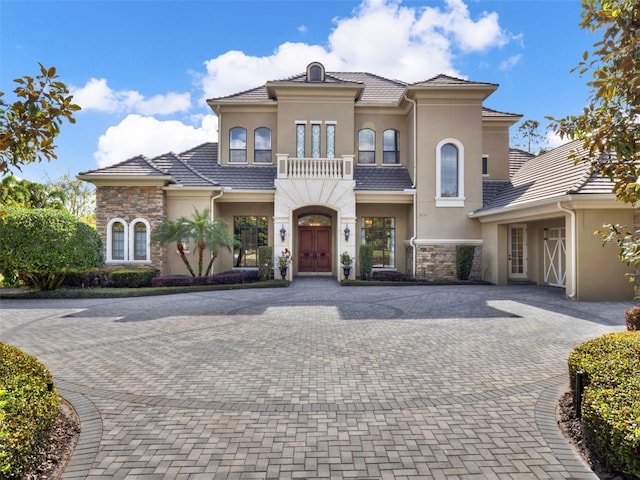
x=97, y=95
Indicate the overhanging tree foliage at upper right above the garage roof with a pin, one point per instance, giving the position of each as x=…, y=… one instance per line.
x=609, y=125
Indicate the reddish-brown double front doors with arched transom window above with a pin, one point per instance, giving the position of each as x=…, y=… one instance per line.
x=314, y=243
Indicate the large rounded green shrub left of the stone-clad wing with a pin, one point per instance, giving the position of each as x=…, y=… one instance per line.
x=40, y=245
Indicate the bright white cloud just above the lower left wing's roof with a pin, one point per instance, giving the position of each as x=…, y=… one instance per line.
x=140, y=135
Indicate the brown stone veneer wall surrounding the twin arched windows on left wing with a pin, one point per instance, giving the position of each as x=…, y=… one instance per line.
x=129, y=203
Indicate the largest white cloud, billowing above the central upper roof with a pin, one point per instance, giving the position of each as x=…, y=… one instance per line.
x=381, y=36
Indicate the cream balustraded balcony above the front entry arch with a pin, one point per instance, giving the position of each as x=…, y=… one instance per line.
x=315, y=168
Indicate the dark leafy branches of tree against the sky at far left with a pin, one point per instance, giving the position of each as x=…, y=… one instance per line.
x=29, y=125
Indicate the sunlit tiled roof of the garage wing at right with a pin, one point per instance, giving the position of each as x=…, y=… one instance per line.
x=551, y=175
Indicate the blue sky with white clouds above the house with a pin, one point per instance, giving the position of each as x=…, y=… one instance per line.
x=141, y=69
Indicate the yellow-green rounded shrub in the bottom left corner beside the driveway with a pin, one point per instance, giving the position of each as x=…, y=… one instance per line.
x=28, y=411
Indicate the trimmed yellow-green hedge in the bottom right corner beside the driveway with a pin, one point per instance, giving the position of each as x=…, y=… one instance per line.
x=611, y=400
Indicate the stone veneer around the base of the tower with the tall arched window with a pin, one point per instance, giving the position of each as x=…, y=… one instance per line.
x=438, y=263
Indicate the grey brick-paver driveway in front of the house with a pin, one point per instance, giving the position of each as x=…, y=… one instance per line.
x=316, y=380
